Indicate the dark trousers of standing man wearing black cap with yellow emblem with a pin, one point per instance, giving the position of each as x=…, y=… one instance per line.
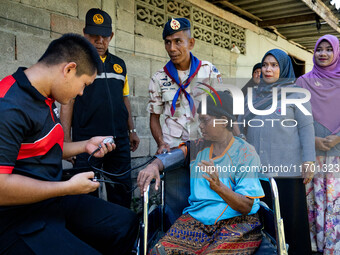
x=117, y=161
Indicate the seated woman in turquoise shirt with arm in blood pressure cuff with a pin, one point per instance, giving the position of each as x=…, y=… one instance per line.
x=224, y=189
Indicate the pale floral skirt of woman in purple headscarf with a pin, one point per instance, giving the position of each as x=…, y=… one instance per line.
x=323, y=201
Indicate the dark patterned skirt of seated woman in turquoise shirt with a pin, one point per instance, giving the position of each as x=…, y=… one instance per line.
x=238, y=235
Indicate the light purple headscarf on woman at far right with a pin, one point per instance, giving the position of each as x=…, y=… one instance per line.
x=324, y=85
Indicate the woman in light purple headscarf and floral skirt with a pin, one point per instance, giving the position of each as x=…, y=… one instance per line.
x=323, y=192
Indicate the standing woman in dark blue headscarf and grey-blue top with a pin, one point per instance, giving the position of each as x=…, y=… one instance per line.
x=285, y=144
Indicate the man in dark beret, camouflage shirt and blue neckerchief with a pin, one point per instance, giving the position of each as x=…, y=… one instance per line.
x=176, y=89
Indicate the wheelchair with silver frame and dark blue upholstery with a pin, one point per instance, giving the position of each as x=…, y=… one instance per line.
x=175, y=190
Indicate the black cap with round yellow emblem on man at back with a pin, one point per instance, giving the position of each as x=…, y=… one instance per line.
x=98, y=22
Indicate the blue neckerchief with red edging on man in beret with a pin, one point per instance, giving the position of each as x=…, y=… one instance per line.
x=171, y=71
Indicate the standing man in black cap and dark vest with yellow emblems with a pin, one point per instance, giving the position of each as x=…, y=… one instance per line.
x=104, y=108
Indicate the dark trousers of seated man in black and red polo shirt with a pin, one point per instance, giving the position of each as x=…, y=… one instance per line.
x=70, y=225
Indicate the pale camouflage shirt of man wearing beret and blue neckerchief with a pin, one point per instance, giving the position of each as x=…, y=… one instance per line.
x=182, y=126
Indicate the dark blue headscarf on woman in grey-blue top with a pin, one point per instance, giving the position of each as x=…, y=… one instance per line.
x=262, y=97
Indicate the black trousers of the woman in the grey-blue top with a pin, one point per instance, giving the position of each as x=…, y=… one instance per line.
x=293, y=207
